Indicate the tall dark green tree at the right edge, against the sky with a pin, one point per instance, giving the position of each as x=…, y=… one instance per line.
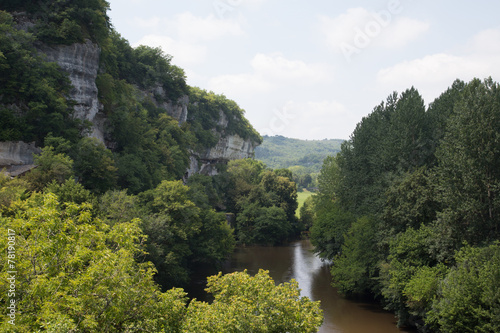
x=469, y=165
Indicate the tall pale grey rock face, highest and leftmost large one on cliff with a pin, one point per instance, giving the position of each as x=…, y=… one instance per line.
x=81, y=61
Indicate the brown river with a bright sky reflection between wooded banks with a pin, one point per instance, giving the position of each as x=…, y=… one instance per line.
x=297, y=261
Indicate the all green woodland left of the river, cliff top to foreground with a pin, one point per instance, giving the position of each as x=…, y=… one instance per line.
x=99, y=238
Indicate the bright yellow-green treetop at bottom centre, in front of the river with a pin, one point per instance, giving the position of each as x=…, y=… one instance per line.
x=253, y=304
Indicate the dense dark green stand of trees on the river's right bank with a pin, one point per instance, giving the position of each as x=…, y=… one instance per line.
x=408, y=210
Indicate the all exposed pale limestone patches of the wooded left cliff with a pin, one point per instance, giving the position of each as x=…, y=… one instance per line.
x=81, y=61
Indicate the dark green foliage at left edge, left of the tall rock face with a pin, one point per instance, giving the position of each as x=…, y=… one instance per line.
x=33, y=92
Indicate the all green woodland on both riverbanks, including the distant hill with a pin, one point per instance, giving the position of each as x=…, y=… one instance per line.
x=101, y=236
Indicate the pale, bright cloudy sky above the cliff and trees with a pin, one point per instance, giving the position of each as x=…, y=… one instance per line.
x=313, y=69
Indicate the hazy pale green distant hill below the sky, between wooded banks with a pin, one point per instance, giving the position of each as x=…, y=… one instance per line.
x=280, y=152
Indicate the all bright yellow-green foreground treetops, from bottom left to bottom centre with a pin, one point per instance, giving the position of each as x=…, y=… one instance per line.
x=76, y=273
